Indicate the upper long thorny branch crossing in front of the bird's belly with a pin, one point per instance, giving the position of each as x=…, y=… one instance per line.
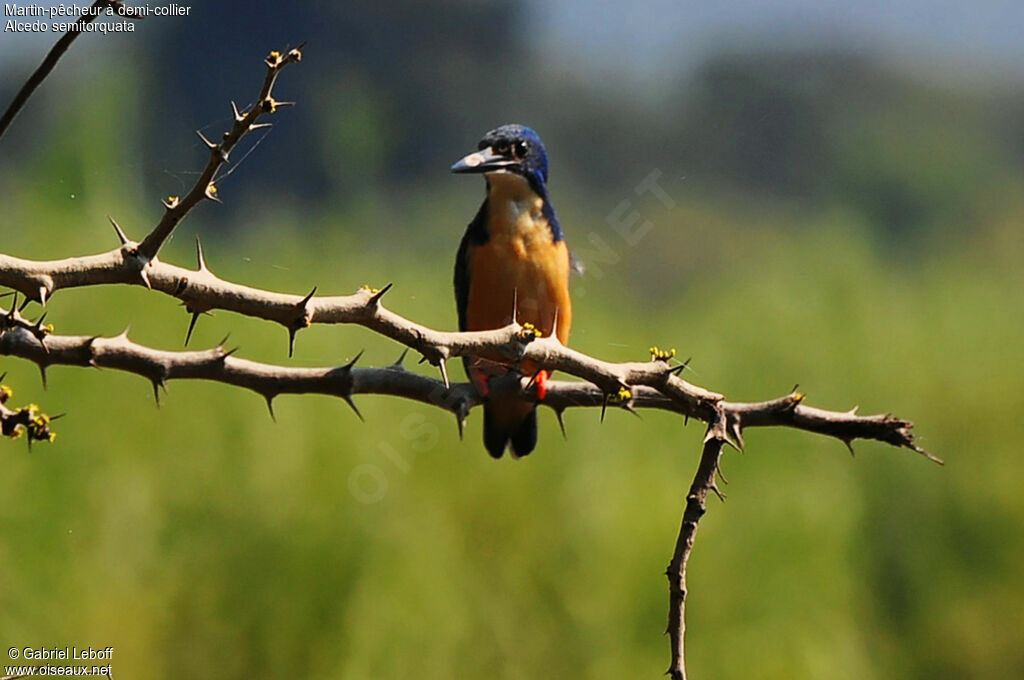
x=636, y=385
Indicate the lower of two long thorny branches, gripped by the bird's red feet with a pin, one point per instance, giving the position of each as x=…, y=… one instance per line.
x=33, y=342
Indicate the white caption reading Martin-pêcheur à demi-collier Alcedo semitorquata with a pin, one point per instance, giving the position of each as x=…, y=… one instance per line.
x=63, y=18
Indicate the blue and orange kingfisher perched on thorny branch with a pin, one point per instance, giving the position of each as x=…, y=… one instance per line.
x=513, y=264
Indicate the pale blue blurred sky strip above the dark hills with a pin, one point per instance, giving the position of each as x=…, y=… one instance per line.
x=657, y=37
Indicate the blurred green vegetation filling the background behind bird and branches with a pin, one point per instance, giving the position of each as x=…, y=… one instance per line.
x=875, y=259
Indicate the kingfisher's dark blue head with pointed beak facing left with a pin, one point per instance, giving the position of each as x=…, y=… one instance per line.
x=515, y=149
